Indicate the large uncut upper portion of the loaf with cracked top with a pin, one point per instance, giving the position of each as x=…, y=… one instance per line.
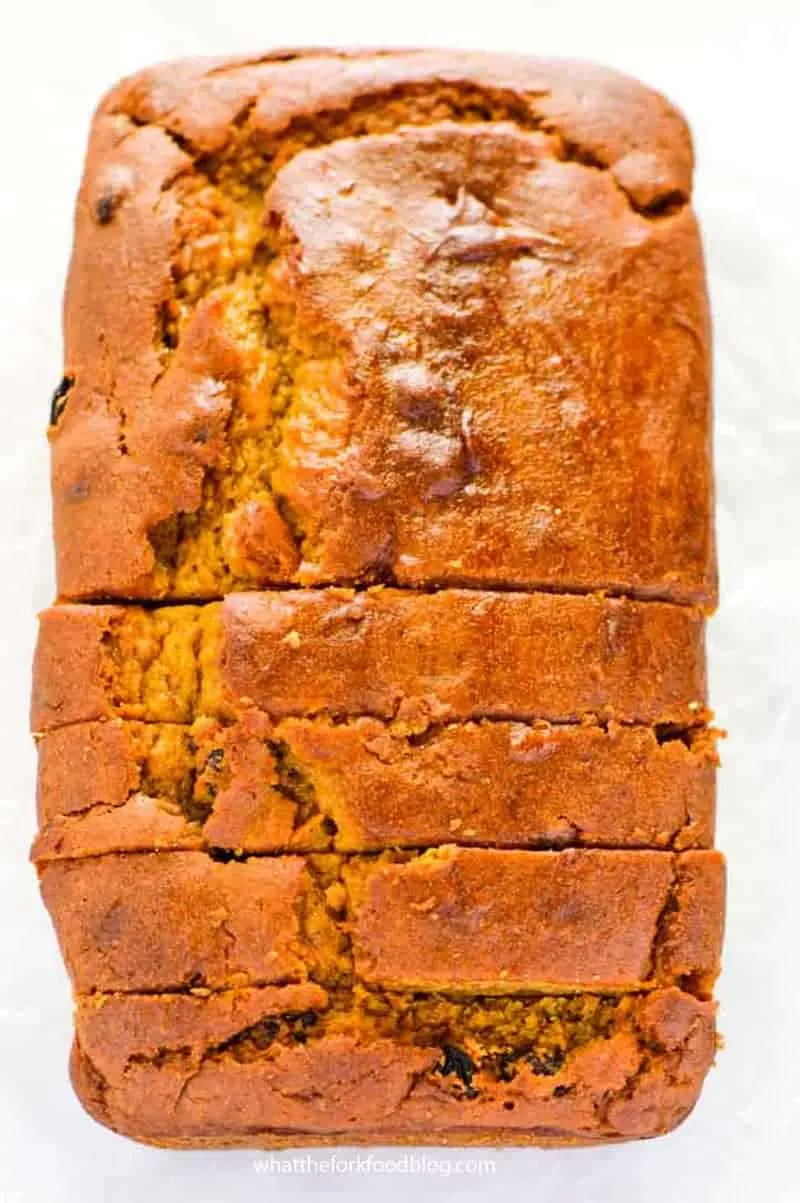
x=543, y=203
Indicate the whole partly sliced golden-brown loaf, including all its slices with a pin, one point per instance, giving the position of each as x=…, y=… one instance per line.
x=377, y=779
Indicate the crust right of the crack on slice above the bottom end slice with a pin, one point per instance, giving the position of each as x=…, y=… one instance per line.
x=478, y=920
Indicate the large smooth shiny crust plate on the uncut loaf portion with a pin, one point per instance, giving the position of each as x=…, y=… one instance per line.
x=441, y=438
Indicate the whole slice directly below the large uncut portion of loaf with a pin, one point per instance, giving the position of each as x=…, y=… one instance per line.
x=389, y=654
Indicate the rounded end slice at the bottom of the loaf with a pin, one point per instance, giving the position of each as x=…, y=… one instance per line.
x=236, y=1068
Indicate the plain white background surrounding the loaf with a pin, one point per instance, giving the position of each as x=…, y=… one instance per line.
x=734, y=70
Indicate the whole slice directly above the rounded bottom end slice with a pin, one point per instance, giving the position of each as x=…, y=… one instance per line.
x=452, y=918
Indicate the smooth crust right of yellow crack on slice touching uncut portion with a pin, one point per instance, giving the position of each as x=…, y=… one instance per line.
x=505, y=655
